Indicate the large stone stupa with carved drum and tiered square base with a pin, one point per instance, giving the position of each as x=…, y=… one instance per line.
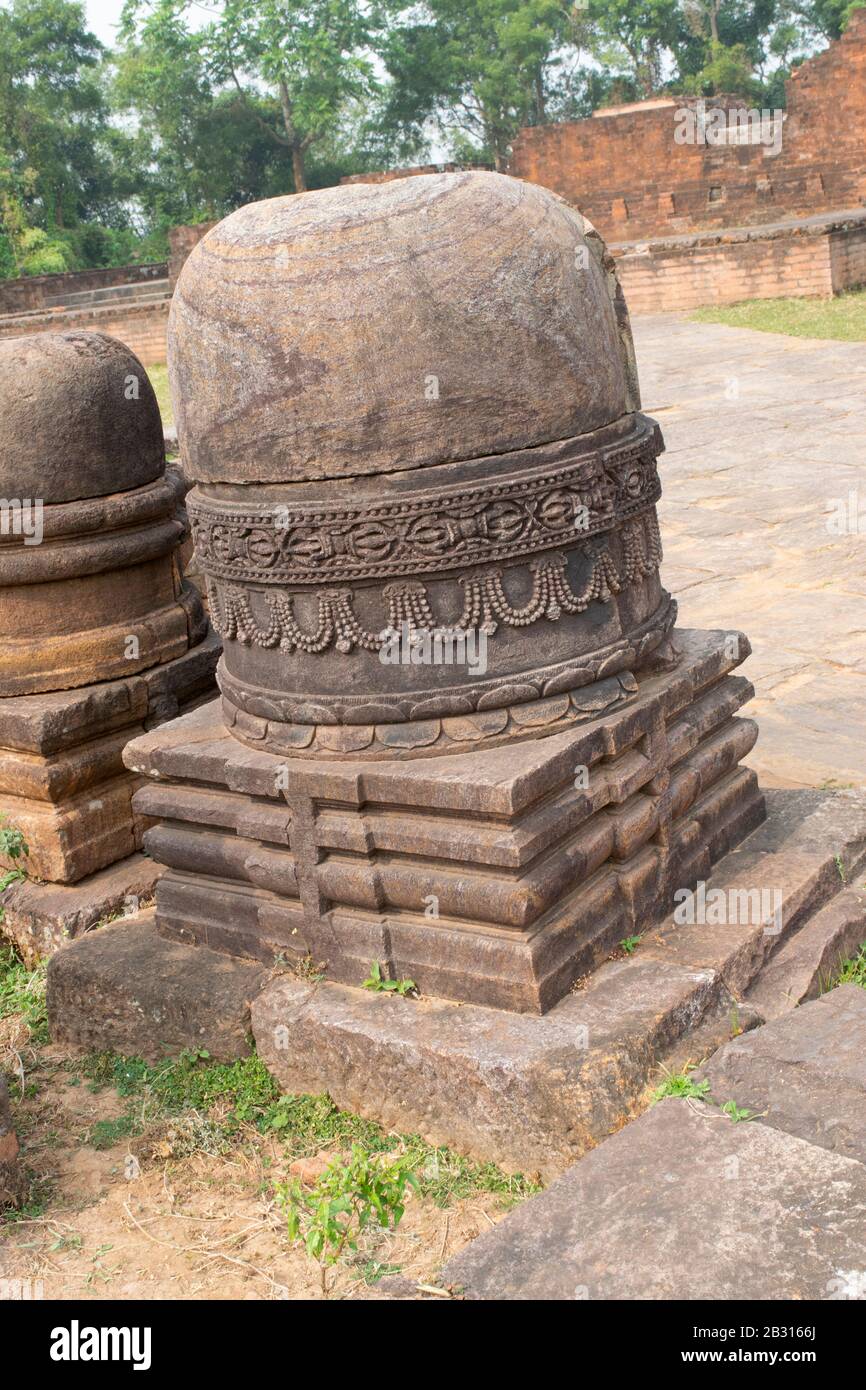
x=412, y=415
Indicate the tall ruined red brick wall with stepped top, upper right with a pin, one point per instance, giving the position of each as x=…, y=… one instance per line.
x=632, y=180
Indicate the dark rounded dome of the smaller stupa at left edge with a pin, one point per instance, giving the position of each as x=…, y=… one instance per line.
x=72, y=426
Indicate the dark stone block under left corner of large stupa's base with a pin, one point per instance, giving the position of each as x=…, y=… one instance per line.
x=127, y=989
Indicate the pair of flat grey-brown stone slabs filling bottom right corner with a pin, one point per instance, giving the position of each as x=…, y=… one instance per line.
x=686, y=1204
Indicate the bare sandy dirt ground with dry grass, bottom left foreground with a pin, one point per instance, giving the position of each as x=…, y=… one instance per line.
x=145, y=1218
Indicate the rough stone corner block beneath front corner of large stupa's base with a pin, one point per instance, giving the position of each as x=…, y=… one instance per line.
x=528, y=1093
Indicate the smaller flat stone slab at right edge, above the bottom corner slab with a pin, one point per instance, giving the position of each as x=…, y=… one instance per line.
x=806, y=1074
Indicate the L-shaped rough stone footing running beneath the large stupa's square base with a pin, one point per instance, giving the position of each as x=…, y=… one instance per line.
x=529, y=1093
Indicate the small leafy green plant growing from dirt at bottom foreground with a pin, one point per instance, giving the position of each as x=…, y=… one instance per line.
x=348, y=1197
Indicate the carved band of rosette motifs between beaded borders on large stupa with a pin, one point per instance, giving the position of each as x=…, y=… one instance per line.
x=434, y=529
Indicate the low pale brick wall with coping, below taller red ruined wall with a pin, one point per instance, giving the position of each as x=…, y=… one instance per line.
x=817, y=258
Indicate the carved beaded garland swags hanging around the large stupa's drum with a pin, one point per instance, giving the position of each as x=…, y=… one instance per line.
x=486, y=603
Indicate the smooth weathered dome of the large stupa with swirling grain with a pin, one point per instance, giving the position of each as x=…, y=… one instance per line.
x=368, y=329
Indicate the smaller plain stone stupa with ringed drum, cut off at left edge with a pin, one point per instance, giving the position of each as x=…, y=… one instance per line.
x=101, y=636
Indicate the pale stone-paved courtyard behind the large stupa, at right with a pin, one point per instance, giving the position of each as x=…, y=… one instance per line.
x=765, y=436
